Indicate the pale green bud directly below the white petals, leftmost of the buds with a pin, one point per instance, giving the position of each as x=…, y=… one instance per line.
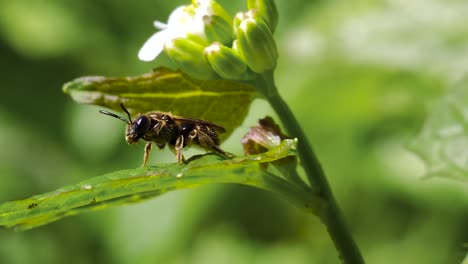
x=188, y=55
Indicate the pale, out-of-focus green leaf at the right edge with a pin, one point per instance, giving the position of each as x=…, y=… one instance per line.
x=443, y=141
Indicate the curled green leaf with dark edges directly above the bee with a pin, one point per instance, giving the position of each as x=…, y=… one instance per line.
x=220, y=101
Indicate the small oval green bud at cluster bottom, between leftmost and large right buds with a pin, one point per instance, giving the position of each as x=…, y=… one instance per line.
x=226, y=62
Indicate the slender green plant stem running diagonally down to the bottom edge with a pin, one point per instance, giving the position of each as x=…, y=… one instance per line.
x=330, y=213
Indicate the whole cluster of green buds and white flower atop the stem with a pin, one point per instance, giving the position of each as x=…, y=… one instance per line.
x=207, y=43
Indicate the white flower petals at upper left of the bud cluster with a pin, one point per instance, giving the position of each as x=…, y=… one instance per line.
x=183, y=21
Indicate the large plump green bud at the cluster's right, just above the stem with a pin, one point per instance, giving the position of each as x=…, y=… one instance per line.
x=256, y=45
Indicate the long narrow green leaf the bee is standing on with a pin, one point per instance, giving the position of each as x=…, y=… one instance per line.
x=135, y=185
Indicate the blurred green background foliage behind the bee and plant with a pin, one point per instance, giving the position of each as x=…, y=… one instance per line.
x=360, y=76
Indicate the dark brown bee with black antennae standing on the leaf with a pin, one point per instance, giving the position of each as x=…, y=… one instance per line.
x=164, y=128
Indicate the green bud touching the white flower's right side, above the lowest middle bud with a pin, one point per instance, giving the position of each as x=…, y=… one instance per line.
x=218, y=29
